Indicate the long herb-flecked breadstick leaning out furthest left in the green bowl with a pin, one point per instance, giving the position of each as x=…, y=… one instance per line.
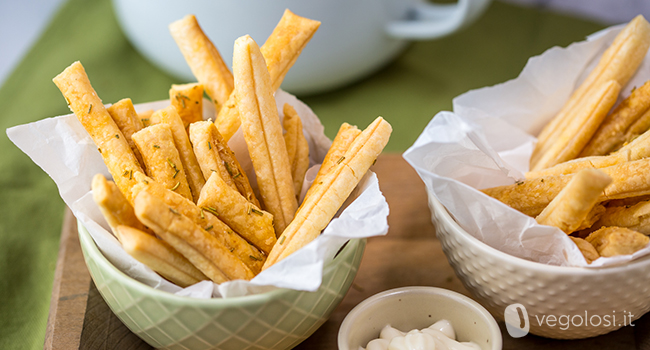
x=111, y=143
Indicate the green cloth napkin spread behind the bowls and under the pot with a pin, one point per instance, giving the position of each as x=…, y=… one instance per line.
x=408, y=93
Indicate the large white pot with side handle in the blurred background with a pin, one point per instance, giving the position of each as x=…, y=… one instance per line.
x=355, y=38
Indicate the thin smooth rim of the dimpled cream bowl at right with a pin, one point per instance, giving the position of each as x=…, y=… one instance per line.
x=571, y=270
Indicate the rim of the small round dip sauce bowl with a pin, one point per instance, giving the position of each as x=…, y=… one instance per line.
x=495, y=331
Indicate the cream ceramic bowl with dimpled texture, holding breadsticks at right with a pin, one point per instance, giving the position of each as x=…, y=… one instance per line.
x=616, y=295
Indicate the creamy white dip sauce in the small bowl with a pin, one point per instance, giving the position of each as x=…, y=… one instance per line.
x=439, y=336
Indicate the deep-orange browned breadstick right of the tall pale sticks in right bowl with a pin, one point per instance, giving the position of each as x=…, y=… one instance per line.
x=611, y=133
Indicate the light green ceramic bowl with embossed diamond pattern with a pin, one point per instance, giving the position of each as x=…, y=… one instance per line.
x=280, y=319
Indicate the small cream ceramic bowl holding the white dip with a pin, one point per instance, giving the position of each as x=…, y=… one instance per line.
x=417, y=308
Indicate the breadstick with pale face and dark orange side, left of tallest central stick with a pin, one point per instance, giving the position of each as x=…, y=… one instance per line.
x=214, y=155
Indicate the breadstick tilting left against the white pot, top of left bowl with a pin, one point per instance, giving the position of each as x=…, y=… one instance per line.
x=203, y=58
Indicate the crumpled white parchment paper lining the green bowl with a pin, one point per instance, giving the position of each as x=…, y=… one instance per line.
x=65, y=151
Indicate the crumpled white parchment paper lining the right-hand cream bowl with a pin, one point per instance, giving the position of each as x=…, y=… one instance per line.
x=487, y=141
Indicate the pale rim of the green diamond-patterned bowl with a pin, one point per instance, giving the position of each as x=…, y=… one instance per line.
x=89, y=246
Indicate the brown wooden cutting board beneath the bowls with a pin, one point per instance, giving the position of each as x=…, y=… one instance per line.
x=408, y=255
